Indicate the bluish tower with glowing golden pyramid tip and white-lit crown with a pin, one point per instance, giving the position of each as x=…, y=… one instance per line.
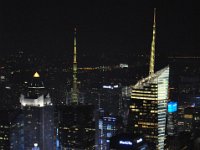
x=34, y=124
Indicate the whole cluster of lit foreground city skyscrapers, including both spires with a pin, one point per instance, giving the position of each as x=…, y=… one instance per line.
x=151, y=114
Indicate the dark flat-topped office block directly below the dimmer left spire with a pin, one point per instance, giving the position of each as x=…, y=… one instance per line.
x=75, y=126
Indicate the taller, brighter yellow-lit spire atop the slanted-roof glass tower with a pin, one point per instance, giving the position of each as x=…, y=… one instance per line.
x=152, y=57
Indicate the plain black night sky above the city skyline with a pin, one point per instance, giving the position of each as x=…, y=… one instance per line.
x=102, y=27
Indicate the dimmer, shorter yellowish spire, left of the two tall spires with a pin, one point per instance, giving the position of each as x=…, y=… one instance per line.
x=74, y=89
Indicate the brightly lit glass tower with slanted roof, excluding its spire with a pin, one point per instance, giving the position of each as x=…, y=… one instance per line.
x=148, y=108
